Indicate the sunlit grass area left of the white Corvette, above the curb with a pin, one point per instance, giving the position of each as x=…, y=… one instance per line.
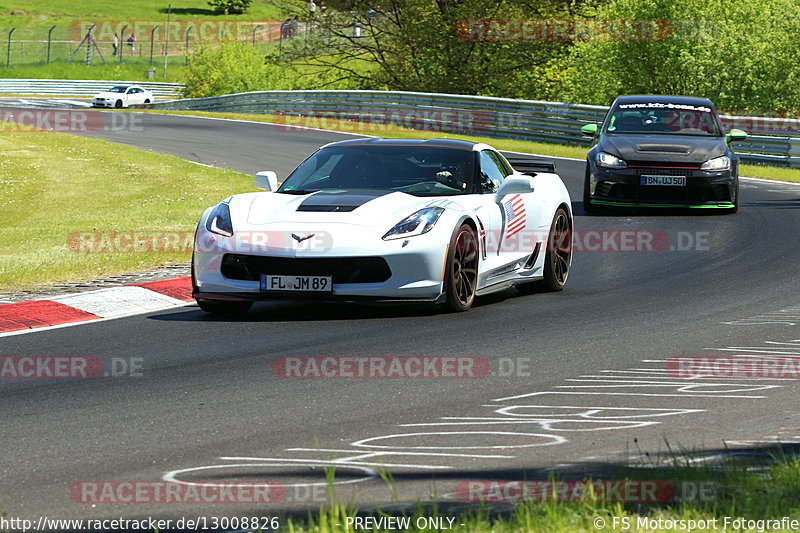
x=53, y=185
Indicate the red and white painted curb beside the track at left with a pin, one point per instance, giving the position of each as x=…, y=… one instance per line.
x=102, y=304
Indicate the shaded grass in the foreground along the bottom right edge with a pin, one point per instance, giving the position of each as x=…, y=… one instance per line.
x=738, y=492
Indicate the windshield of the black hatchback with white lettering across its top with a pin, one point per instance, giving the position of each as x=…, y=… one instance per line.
x=663, y=119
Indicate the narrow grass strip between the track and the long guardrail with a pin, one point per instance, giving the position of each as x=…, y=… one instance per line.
x=546, y=149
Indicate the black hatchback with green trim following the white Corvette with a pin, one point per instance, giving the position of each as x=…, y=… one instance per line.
x=662, y=151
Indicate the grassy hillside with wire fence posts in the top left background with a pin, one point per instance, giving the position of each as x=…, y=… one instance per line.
x=71, y=17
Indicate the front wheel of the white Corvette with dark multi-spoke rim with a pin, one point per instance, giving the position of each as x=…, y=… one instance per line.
x=461, y=280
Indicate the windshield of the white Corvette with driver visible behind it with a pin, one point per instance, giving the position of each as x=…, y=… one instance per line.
x=420, y=171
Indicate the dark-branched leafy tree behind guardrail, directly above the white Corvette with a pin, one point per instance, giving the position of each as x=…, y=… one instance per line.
x=450, y=46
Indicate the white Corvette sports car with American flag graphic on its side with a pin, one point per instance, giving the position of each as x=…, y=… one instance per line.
x=439, y=221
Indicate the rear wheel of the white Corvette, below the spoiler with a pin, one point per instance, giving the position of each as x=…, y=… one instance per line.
x=557, y=258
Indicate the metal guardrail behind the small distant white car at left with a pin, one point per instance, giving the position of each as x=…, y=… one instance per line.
x=82, y=87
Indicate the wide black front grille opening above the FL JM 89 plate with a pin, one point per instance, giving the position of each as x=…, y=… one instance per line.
x=342, y=269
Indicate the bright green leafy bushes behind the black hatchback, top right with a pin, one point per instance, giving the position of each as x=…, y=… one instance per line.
x=742, y=55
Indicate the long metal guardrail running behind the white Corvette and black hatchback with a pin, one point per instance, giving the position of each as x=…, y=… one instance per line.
x=772, y=141
